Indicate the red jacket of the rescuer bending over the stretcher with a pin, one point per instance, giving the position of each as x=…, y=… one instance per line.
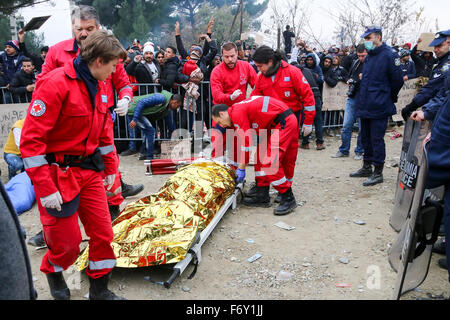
x=257, y=113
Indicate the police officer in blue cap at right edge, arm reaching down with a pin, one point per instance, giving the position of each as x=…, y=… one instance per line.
x=436, y=82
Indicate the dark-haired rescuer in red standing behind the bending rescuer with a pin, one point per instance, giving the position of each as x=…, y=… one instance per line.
x=282, y=81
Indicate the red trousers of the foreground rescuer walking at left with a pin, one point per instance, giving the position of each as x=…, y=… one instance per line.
x=63, y=235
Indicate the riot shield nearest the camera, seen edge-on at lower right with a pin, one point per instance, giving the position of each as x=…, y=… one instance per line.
x=411, y=254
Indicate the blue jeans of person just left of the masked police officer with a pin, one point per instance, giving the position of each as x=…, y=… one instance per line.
x=346, y=133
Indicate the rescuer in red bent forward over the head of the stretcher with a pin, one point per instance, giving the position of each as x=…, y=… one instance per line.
x=271, y=118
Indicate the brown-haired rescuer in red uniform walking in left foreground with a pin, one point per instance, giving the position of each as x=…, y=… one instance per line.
x=66, y=145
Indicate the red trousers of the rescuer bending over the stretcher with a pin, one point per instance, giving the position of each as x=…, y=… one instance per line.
x=276, y=165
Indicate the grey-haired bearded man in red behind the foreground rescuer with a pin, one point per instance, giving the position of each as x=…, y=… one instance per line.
x=84, y=23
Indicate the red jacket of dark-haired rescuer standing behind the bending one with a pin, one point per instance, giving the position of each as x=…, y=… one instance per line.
x=291, y=87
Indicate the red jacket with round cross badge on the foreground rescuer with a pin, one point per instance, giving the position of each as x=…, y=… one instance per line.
x=61, y=120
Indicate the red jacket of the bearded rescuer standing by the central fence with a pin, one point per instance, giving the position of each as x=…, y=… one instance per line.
x=225, y=81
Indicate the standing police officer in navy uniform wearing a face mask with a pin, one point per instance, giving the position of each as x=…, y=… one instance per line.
x=381, y=82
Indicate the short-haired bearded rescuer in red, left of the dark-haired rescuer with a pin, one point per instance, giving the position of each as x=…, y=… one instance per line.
x=229, y=83
